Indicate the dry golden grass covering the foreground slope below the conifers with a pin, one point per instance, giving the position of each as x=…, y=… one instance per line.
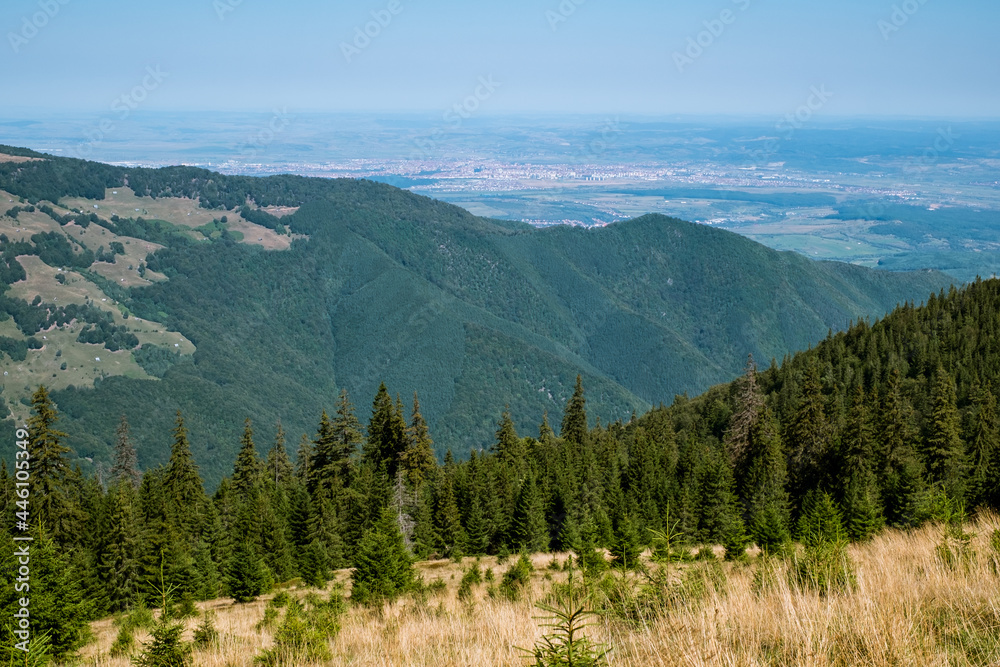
x=907, y=608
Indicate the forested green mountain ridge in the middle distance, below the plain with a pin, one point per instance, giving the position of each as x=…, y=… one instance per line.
x=363, y=283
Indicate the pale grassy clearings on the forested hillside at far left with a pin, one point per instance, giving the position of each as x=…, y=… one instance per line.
x=85, y=363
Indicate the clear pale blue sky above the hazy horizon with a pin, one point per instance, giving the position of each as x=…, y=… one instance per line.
x=922, y=58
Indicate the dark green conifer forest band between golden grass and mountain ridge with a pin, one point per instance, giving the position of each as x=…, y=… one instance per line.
x=892, y=423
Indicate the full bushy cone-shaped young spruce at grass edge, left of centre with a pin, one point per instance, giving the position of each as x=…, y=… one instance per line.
x=383, y=569
